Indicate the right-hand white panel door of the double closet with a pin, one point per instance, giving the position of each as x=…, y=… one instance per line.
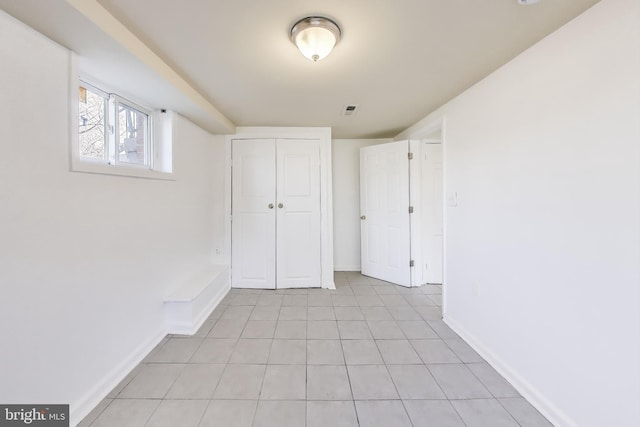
x=298, y=213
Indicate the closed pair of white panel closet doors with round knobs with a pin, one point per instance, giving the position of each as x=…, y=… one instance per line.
x=276, y=213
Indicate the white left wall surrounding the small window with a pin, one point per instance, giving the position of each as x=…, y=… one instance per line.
x=85, y=259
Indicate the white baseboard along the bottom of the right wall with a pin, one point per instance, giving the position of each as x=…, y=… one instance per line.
x=557, y=417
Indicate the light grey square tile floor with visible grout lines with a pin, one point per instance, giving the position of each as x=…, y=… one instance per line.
x=366, y=354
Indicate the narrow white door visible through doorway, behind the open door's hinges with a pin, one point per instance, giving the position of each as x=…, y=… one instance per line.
x=433, y=207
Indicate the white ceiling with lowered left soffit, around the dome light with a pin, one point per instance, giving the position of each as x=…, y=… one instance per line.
x=399, y=60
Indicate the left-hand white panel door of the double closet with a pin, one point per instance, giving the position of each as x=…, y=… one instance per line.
x=253, y=227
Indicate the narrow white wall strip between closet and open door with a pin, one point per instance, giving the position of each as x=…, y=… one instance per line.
x=346, y=201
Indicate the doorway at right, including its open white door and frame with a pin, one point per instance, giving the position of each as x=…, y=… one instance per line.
x=402, y=210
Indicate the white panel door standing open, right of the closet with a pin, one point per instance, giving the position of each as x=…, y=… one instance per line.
x=384, y=210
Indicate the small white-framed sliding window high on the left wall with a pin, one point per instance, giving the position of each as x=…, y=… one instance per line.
x=116, y=136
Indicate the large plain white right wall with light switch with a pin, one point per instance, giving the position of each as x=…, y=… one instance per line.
x=544, y=156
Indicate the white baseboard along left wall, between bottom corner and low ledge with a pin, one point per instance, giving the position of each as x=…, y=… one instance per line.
x=85, y=405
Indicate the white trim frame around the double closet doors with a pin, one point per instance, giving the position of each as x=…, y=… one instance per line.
x=323, y=135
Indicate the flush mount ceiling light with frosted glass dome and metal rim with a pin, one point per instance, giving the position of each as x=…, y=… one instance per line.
x=315, y=36
